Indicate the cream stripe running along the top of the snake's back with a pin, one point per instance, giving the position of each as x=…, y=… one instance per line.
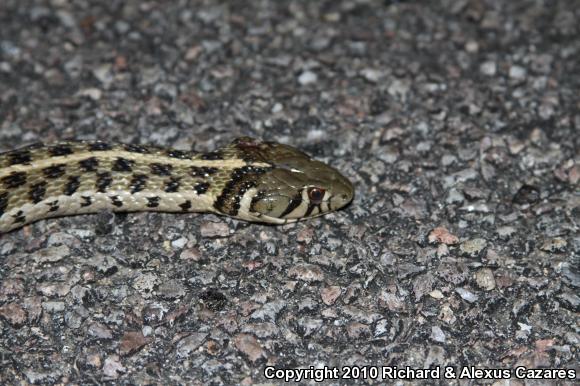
x=137, y=157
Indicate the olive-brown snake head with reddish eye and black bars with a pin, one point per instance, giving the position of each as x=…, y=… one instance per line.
x=290, y=185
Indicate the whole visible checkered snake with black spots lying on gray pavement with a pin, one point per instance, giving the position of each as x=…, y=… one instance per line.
x=248, y=179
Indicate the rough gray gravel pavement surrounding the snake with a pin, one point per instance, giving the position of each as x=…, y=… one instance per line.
x=456, y=120
